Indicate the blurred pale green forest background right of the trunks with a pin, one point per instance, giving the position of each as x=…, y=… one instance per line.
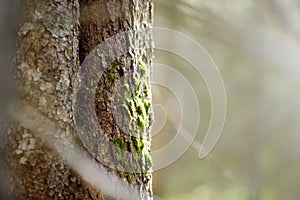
x=256, y=46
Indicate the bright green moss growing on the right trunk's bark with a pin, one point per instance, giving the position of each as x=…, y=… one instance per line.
x=137, y=107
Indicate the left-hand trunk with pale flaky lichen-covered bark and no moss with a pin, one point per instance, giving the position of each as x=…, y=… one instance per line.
x=46, y=60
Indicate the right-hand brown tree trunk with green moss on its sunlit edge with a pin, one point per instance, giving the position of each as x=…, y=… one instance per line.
x=122, y=98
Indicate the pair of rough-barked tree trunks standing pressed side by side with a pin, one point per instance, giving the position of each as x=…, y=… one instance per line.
x=52, y=43
